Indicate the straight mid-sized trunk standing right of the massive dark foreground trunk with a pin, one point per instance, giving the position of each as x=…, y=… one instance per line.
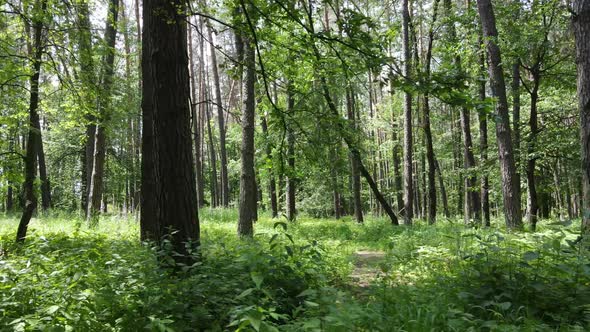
x=247, y=210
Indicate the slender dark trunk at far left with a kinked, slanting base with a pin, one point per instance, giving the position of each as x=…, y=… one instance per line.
x=33, y=136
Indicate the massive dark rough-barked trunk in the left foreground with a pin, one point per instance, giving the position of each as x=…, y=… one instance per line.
x=166, y=95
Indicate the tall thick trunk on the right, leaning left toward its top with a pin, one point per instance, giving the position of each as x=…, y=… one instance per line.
x=510, y=185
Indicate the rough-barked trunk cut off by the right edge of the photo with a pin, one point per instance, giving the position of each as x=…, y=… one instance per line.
x=581, y=24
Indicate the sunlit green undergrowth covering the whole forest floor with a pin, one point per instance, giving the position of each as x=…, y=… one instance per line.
x=294, y=277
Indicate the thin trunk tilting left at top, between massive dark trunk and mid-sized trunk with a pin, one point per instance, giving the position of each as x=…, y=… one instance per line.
x=220, y=121
